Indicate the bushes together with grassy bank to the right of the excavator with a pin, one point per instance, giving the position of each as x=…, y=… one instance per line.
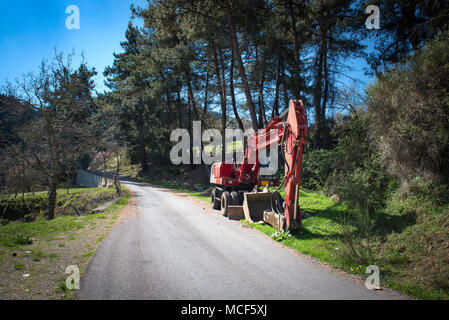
x=388, y=168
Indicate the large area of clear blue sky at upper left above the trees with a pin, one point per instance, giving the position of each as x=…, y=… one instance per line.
x=30, y=29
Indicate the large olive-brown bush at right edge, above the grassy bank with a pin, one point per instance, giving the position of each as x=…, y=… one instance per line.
x=409, y=114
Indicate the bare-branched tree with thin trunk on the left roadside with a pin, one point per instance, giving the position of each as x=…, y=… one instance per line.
x=62, y=130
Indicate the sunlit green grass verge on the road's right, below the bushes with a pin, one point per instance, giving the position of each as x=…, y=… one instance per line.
x=401, y=245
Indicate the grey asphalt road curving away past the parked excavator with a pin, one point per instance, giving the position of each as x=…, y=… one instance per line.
x=175, y=249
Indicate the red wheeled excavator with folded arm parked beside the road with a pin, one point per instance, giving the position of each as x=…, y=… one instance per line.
x=237, y=185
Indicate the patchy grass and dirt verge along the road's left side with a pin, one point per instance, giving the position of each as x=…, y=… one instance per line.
x=35, y=255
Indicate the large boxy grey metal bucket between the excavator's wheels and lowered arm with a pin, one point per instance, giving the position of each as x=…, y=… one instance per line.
x=255, y=204
